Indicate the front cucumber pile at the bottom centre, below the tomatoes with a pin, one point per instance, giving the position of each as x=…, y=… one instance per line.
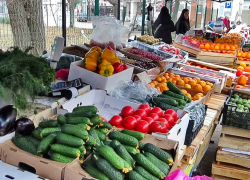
x=123, y=156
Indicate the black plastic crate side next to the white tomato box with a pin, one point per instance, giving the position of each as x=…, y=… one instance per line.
x=193, y=129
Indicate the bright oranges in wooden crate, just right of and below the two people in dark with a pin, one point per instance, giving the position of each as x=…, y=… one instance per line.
x=219, y=48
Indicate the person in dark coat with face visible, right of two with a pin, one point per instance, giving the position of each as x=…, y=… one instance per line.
x=183, y=25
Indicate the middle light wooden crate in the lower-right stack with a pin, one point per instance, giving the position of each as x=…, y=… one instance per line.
x=233, y=158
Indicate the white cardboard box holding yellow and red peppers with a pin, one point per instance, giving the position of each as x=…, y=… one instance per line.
x=97, y=81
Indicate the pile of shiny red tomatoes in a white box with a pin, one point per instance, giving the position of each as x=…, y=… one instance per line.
x=145, y=119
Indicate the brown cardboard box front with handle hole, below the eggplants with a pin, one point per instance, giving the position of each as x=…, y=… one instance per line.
x=45, y=168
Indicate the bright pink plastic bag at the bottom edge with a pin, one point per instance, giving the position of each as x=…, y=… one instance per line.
x=180, y=175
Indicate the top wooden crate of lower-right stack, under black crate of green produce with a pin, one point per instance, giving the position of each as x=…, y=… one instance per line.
x=234, y=138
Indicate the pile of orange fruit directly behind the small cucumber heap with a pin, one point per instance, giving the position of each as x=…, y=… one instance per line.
x=190, y=83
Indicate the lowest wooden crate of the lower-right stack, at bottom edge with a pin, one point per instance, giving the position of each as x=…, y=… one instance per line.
x=230, y=171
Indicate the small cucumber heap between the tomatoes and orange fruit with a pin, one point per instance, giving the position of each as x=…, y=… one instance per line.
x=171, y=99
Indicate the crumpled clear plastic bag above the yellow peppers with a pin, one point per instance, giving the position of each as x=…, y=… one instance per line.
x=107, y=32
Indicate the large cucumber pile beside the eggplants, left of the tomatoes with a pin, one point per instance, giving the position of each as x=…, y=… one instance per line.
x=73, y=135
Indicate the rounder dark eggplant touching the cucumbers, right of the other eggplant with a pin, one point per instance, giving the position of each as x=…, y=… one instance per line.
x=24, y=126
